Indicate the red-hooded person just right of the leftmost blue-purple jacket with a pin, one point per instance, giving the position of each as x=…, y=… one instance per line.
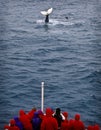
x=25, y=120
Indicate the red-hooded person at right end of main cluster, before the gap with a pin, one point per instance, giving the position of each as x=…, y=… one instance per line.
x=78, y=124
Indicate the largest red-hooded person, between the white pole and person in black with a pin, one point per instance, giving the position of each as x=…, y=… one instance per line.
x=49, y=122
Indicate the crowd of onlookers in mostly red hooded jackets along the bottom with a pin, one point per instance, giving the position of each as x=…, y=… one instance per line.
x=37, y=120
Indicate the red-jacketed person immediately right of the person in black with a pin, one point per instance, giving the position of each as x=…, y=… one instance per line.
x=64, y=124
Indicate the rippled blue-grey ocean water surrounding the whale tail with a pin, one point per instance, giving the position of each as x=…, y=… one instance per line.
x=65, y=54
